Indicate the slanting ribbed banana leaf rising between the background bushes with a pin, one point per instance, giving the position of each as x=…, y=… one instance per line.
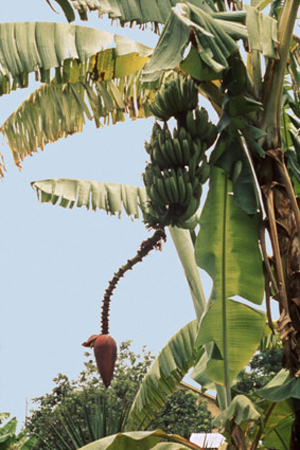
x=171, y=365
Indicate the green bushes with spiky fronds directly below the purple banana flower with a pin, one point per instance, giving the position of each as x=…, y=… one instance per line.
x=79, y=411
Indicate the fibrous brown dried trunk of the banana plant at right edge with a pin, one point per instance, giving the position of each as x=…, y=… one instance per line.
x=284, y=229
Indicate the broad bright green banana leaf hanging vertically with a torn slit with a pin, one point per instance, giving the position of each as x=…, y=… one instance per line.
x=227, y=249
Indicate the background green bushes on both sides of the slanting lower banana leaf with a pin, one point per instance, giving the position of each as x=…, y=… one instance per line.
x=81, y=411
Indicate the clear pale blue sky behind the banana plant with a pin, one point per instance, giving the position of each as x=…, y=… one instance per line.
x=56, y=263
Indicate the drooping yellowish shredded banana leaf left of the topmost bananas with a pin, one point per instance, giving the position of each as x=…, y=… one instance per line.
x=57, y=110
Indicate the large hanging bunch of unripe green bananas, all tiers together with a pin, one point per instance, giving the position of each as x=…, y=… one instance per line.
x=178, y=166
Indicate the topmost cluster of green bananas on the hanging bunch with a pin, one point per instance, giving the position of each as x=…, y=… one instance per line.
x=178, y=94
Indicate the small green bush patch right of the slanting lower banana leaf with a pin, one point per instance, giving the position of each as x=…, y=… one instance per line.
x=182, y=414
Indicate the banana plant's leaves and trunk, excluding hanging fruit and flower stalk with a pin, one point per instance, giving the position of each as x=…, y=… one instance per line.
x=252, y=172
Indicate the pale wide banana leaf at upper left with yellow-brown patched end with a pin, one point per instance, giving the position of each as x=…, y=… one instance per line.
x=40, y=46
